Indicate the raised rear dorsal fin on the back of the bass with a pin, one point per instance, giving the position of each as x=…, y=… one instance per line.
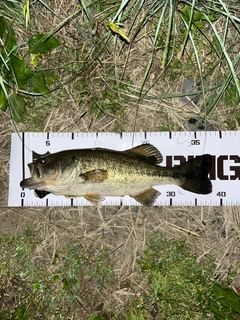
x=147, y=152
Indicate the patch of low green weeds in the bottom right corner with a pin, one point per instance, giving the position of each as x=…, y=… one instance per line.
x=180, y=288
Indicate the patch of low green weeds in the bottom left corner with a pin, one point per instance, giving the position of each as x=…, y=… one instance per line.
x=33, y=287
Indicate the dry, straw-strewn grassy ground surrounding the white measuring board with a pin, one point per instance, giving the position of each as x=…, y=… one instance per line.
x=66, y=263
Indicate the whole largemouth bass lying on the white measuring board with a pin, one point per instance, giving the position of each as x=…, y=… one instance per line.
x=96, y=173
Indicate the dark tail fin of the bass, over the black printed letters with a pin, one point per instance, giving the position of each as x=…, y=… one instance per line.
x=195, y=175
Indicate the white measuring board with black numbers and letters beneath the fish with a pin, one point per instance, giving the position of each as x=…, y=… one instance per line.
x=176, y=148
